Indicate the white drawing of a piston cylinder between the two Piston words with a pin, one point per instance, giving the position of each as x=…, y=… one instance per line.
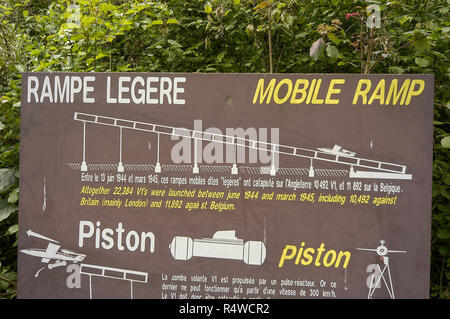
x=224, y=245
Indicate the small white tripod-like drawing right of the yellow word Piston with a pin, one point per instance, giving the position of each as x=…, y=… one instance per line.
x=382, y=251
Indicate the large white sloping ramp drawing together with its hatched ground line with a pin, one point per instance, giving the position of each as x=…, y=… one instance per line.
x=355, y=167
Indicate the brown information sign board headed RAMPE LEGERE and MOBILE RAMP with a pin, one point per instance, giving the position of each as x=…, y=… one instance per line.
x=147, y=185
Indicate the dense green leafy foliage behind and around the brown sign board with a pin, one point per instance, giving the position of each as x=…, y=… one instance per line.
x=326, y=36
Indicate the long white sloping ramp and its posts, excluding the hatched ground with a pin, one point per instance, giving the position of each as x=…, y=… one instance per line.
x=367, y=168
